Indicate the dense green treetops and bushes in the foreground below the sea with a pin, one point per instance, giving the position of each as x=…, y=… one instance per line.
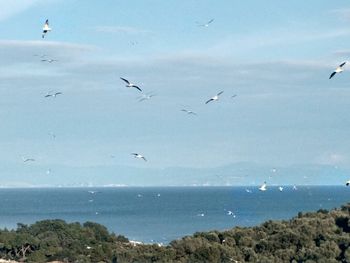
x=311, y=237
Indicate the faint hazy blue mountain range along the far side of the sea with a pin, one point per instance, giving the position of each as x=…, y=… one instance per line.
x=236, y=174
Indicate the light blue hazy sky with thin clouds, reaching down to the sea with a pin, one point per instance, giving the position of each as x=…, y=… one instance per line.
x=275, y=56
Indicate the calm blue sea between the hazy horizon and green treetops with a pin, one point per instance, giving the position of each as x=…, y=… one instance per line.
x=164, y=214
